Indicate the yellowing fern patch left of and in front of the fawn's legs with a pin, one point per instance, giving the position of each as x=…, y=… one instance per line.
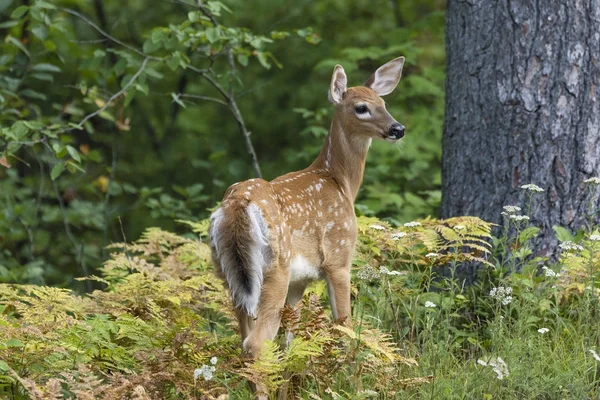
x=161, y=317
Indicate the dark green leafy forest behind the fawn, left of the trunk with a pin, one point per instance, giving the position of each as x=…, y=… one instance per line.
x=119, y=116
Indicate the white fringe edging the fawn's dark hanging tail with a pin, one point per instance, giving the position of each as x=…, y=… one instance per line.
x=259, y=258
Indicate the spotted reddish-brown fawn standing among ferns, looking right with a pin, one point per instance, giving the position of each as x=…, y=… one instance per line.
x=270, y=239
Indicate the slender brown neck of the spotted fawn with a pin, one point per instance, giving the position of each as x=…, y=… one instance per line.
x=344, y=156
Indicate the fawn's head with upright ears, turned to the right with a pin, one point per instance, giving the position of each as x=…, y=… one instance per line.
x=361, y=109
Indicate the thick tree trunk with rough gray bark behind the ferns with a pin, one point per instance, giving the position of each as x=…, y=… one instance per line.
x=522, y=106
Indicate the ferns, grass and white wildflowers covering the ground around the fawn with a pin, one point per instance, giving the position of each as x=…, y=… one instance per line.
x=161, y=325
